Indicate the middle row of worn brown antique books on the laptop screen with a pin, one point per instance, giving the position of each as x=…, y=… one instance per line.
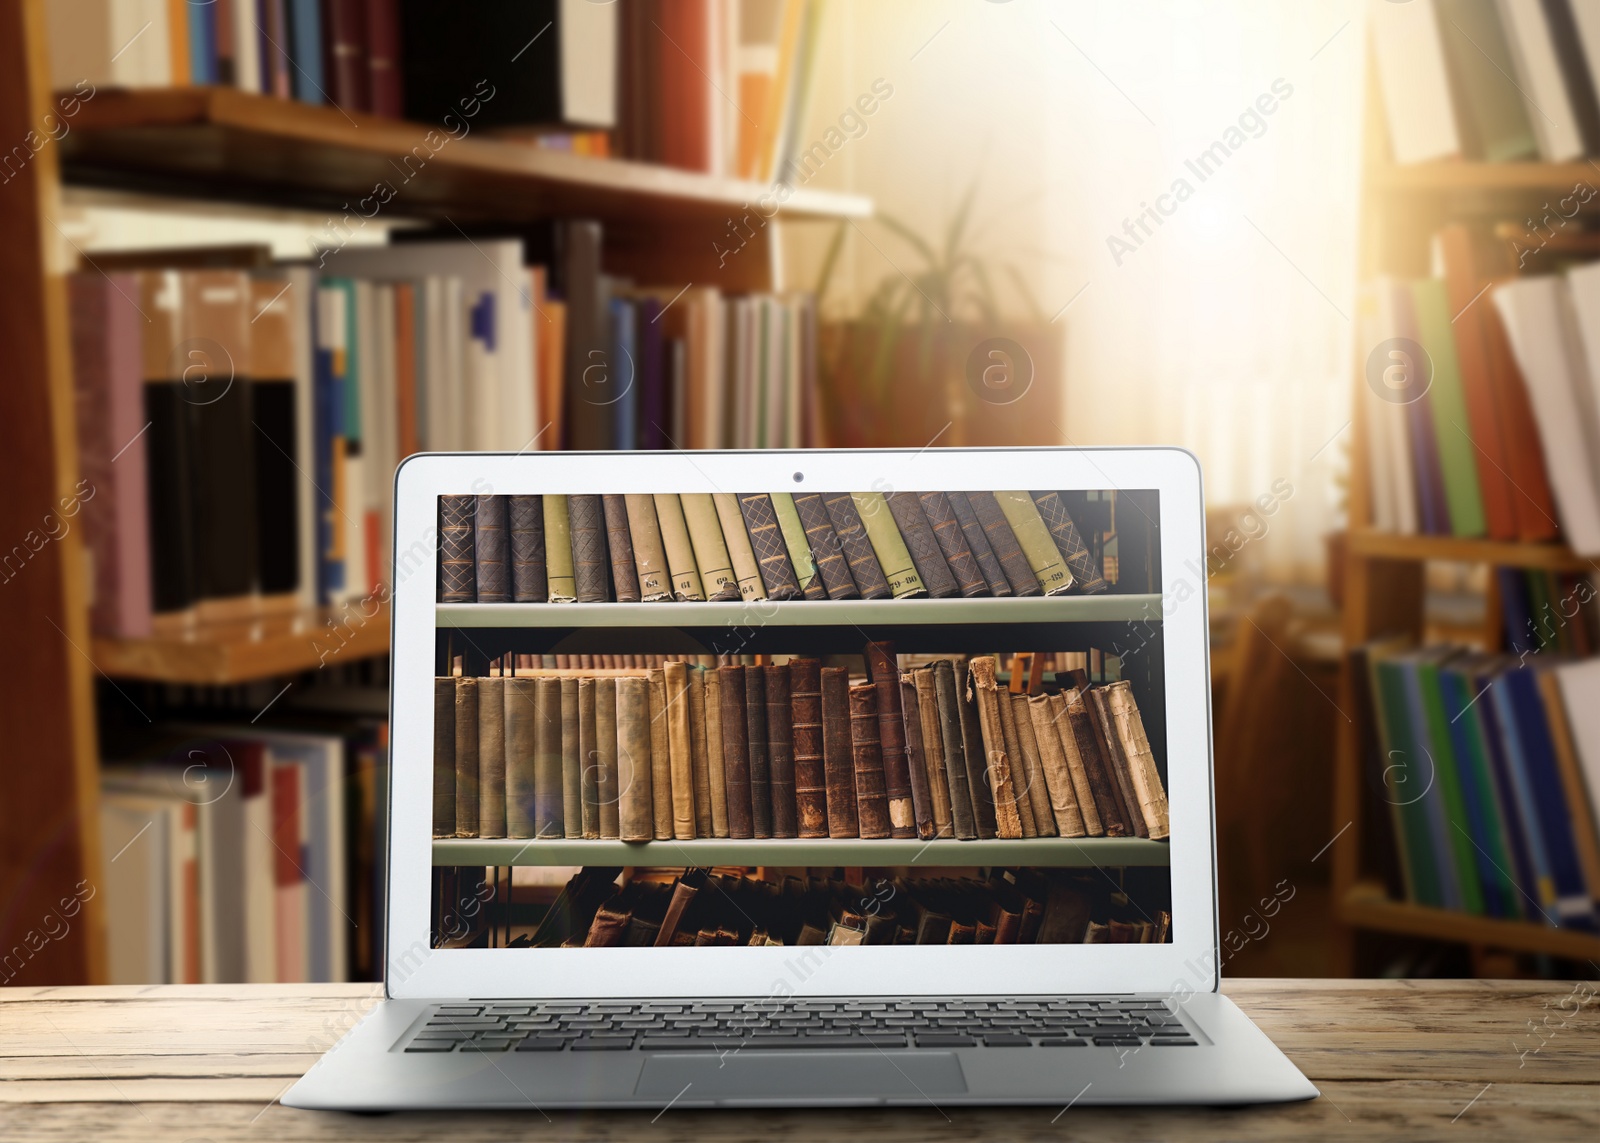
x=790, y=750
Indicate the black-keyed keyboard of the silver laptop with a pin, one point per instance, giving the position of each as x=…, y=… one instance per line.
x=761, y=1025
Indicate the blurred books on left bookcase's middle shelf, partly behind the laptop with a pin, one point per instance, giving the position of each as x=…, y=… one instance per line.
x=238, y=428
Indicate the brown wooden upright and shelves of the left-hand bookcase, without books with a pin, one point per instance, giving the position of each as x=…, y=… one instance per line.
x=222, y=145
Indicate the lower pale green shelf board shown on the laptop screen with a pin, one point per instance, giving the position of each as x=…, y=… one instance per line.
x=804, y=852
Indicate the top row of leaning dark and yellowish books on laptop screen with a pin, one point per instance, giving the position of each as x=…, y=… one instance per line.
x=724, y=547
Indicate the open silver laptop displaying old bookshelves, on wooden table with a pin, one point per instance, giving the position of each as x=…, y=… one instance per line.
x=886, y=785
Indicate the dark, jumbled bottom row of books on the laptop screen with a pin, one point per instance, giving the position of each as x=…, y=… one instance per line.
x=663, y=908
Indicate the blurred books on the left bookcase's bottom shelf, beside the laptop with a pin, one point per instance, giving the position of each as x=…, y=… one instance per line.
x=244, y=856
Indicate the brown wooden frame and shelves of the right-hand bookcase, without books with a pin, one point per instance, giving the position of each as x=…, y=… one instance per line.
x=1402, y=207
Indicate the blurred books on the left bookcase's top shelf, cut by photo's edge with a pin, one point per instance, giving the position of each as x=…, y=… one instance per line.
x=705, y=86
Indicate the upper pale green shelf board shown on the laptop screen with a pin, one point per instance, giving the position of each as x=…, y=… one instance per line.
x=806, y=612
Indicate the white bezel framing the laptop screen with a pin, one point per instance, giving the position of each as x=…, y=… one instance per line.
x=1190, y=961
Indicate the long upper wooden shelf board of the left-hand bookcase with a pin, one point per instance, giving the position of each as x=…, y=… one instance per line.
x=223, y=143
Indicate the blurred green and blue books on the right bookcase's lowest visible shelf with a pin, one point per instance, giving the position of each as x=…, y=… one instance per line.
x=1490, y=771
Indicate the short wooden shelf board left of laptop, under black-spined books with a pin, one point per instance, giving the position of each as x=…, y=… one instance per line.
x=246, y=651
